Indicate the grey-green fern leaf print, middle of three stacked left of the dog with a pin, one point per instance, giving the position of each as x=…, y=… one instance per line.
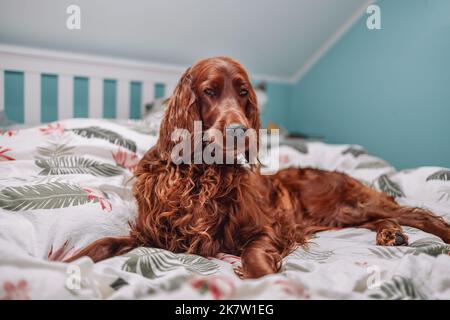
x=76, y=165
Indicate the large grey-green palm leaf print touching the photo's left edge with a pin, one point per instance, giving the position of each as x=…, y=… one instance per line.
x=49, y=195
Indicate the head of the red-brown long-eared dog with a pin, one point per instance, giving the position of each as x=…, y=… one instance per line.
x=216, y=92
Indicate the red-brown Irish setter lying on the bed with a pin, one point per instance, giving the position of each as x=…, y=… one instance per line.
x=205, y=209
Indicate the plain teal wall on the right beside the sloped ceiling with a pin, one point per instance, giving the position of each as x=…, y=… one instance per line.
x=387, y=90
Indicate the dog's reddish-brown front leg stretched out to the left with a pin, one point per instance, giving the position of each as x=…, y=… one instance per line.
x=105, y=248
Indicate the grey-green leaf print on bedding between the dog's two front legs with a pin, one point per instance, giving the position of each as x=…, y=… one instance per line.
x=154, y=262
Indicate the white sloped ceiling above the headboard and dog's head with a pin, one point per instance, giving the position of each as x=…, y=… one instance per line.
x=270, y=37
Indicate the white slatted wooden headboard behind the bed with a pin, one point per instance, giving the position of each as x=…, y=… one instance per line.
x=38, y=85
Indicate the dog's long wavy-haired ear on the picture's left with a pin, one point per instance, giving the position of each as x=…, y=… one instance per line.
x=182, y=110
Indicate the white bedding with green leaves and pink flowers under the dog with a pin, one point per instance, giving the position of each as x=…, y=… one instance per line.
x=66, y=184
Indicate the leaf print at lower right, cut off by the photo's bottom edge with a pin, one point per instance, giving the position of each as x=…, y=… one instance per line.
x=399, y=288
